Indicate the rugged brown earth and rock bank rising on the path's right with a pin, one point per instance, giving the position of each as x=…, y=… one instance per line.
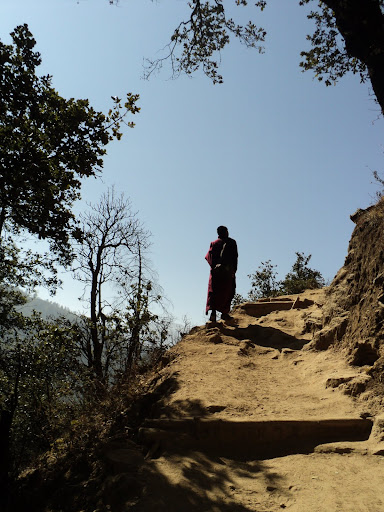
x=353, y=314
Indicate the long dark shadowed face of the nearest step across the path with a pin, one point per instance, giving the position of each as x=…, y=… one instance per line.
x=250, y=438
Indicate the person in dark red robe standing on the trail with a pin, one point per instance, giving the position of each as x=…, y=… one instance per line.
x=222, y=258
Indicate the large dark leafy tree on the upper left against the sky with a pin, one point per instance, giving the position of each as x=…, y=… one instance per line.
x=47, y=145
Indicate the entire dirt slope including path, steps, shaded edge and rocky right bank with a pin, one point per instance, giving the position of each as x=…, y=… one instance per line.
x=280, y=408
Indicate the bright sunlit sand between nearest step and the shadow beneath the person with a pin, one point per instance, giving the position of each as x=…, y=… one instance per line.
x=254, y=382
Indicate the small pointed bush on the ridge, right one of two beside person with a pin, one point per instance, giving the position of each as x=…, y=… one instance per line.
x=301, y=277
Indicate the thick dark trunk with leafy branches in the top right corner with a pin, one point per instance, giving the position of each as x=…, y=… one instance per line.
x=349, y=36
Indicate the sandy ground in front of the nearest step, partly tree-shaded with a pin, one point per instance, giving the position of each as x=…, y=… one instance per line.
x=298, y=483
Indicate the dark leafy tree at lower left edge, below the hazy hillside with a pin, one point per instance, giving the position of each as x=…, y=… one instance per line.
x=39, y=372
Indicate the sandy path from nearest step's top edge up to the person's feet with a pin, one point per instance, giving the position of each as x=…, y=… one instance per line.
x=248, y=369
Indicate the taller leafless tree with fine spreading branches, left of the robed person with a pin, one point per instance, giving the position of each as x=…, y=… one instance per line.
x=112, y=241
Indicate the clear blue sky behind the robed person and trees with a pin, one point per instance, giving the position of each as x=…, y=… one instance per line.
x=273, y=154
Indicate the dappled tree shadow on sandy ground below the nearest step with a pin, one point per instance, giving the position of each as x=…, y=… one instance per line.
x=197, y=482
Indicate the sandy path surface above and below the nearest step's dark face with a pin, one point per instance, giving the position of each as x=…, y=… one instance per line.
x=261, y=369
